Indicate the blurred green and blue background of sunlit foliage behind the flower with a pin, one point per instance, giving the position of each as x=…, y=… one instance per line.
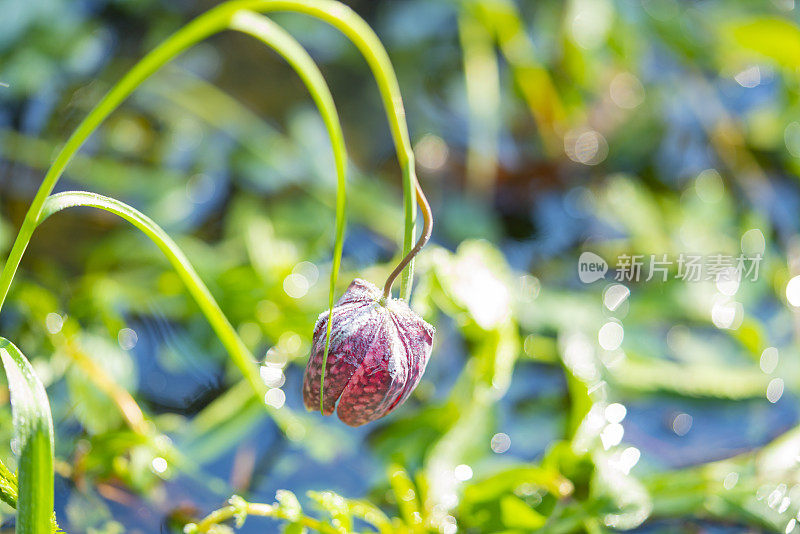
x=542, y=129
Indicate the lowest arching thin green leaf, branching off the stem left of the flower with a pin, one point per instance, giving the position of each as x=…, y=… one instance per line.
x=239, y=352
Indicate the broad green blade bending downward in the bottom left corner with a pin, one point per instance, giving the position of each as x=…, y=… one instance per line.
x=33, y=437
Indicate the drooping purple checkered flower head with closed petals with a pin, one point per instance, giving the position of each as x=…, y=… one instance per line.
x=376, y=357
